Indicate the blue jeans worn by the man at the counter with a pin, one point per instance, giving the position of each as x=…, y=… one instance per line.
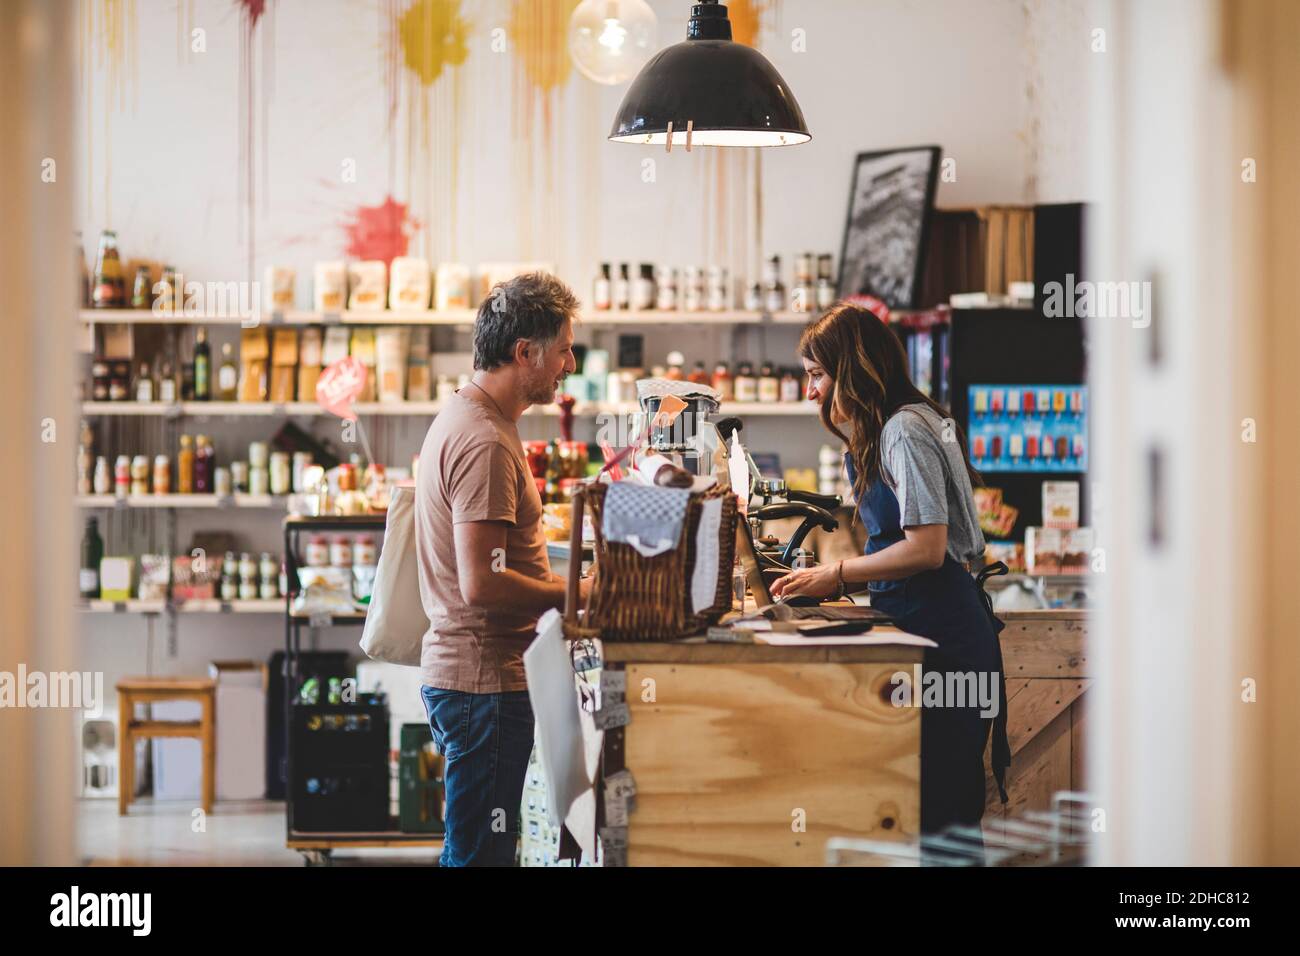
x=486, y=741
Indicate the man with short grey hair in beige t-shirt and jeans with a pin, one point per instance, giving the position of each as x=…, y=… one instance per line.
x=484, y=574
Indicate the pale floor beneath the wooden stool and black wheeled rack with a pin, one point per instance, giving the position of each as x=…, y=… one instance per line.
x=249, y=833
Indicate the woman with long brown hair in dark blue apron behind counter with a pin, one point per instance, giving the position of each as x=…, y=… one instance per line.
x=912, y=486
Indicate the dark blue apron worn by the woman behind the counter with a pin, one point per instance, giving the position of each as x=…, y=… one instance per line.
x=947, y=607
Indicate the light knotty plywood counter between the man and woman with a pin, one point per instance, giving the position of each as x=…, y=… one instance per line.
x=757, y=755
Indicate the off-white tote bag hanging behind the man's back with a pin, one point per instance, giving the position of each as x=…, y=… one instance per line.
x=396, y=624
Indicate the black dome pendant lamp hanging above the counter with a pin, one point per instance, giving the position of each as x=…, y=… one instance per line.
x=710, y=92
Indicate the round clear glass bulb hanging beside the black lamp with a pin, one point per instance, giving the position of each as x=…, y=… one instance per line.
x=612, y=40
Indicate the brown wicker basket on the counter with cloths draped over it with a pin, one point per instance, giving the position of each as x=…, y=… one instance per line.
x=639, y=599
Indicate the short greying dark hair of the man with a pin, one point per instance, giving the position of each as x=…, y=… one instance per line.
x=532, y=306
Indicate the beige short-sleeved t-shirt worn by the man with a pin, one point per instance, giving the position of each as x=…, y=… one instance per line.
x=473, y=469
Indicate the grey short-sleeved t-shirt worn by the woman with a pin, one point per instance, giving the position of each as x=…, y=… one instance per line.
x=928, y=474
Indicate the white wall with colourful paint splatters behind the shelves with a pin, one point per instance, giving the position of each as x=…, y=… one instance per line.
x=876, y=75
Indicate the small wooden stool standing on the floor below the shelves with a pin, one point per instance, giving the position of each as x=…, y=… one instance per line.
x=132, y=691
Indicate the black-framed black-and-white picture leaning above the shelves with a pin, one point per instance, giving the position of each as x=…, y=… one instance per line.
x=885, y=237
